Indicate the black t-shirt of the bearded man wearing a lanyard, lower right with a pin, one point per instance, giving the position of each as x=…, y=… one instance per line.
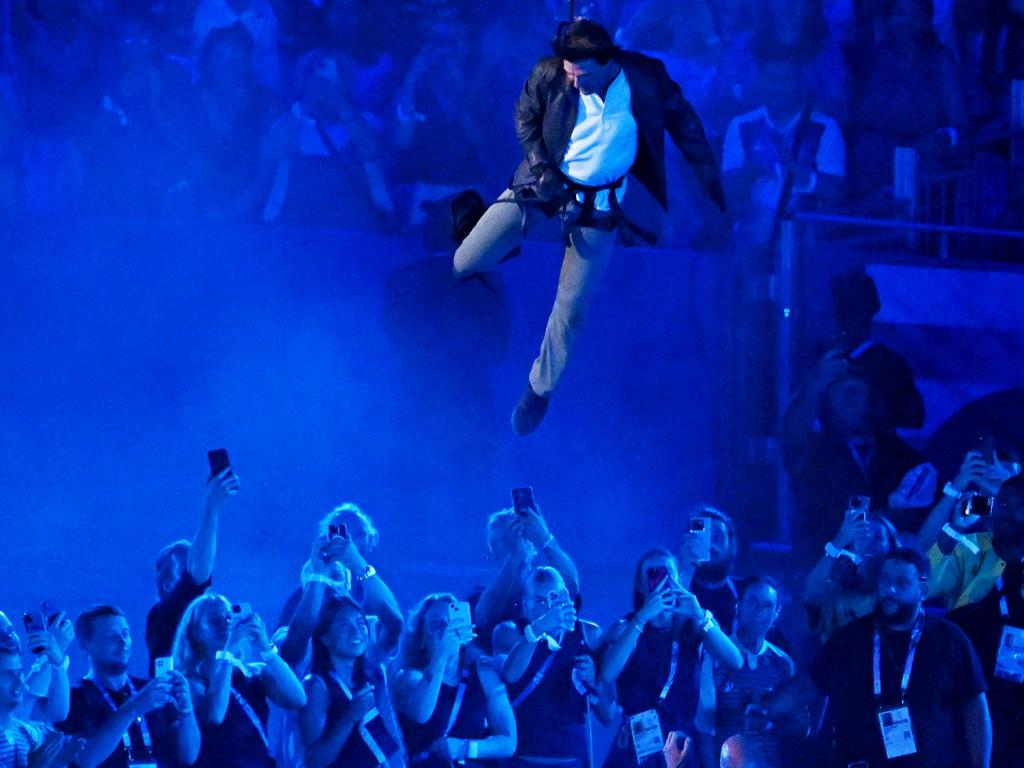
x=946, y=675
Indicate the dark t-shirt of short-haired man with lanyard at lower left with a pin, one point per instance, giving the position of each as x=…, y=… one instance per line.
x=90, y=710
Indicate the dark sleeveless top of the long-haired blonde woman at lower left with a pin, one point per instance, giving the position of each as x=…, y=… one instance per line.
x=238, y=743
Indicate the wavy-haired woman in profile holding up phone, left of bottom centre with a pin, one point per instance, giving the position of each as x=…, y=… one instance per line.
x=452, y=704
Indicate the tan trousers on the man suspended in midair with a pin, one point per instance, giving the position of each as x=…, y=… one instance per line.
x=498, y=232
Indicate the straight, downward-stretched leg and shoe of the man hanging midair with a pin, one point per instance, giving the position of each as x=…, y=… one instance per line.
x=583, y=267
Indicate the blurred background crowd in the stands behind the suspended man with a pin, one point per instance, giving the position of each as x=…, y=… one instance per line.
x=352, y=114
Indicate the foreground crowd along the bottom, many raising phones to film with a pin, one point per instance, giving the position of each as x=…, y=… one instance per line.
x=915, y=625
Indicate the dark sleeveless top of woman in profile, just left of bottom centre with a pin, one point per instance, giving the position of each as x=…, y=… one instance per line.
x=471, y=722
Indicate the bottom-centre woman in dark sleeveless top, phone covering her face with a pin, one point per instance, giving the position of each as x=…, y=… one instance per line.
x=547, y=660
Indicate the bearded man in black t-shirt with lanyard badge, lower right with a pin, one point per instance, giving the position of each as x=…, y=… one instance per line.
x=926, y=679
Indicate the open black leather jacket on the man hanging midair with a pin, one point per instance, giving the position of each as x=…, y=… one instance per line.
x=546, y=114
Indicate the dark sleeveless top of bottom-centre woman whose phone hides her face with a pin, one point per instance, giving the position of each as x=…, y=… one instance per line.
x=550, y=714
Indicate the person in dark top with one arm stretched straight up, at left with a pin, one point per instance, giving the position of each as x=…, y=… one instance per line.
x=185, y=569
